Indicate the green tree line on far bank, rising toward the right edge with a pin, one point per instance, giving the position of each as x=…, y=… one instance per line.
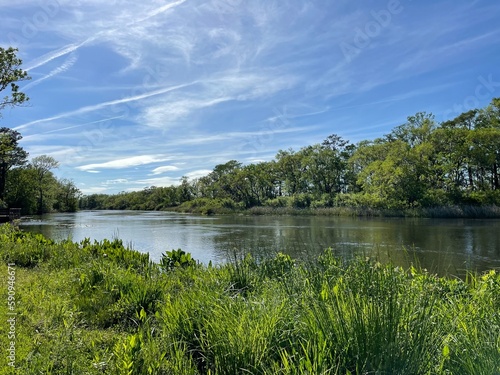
x=420, y=163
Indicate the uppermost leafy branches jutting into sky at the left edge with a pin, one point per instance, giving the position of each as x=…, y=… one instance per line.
x=10, y=74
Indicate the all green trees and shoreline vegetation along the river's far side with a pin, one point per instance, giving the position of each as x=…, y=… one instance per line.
x=421, y=168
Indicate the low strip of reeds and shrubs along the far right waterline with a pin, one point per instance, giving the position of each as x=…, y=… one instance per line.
x=215, y=207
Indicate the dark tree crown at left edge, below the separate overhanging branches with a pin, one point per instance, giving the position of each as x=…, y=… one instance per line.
x=11, y=155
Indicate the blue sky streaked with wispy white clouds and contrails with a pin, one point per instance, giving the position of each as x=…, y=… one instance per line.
x=131, y=94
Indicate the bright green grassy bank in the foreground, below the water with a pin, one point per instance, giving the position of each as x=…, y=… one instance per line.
x=98, y=308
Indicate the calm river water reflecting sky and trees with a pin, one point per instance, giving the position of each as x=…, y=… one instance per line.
x=443, y=246
